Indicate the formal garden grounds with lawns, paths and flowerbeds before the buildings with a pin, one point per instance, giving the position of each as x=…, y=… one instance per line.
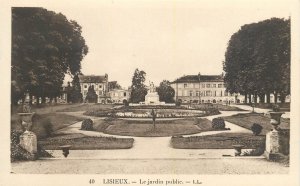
x=174, y=140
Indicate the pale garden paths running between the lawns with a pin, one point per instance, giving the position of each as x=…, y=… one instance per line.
x=152, y=147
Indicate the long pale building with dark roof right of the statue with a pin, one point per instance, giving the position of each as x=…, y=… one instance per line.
x=203, y=89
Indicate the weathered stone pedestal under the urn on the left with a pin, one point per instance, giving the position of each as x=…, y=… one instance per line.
x=28, y=141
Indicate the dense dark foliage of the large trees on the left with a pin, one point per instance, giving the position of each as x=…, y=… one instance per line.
x=45, y=46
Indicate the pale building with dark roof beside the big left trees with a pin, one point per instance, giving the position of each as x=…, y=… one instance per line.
x=100, y=84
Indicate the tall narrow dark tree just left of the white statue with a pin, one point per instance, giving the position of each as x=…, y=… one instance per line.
x=138, y=88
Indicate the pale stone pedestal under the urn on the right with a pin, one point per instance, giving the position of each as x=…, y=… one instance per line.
x=272, y=145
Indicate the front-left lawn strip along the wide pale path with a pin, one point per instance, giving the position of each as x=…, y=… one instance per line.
x=82, y=142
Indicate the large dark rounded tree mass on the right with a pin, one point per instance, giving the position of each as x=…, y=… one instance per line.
x=257, y=60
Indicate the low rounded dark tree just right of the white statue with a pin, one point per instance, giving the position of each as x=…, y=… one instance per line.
x=166, y=92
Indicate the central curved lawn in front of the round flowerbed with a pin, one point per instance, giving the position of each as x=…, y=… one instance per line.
x=145, y=128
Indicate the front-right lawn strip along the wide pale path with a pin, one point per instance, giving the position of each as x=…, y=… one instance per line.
x=218, y=141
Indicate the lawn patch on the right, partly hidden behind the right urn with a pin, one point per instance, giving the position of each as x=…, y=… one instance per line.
x=247, y=120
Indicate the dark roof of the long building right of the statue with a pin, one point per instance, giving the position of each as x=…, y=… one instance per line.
x=199, y=78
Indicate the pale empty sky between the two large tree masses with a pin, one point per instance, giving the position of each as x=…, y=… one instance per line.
x=166, y=39
